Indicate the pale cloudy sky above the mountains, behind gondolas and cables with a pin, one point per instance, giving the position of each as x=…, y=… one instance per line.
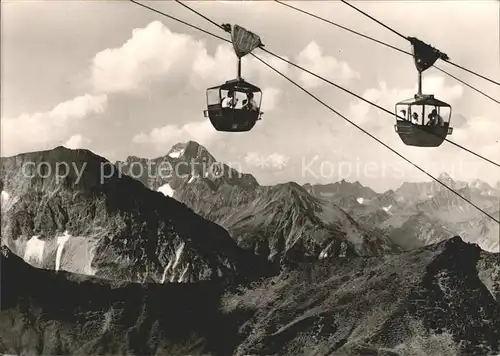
x=120, y=80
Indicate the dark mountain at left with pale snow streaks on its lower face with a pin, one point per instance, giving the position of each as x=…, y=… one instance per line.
x=109, y=224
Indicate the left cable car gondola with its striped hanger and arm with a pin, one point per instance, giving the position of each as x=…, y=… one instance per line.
x=235, y=105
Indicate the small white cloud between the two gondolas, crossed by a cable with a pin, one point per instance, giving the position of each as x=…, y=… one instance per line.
x=312, y=58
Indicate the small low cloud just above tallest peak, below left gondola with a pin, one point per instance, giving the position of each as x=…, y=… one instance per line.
x=166, y=136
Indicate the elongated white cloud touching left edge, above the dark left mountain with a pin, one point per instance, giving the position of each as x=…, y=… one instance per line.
x=37, y=131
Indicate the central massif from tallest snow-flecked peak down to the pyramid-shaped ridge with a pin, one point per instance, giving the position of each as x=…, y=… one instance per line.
x=283, y=223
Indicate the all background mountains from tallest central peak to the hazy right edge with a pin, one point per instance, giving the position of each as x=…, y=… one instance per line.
x=414, y=215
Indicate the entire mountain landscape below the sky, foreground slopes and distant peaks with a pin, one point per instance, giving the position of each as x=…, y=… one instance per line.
x=182, y=254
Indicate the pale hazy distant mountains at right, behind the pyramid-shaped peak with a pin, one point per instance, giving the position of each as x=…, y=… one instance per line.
x=417, y=214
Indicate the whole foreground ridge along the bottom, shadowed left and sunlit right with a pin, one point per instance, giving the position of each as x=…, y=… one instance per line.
x=431, y=301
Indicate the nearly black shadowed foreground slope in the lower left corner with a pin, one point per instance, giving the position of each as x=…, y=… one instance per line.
x=49, y=313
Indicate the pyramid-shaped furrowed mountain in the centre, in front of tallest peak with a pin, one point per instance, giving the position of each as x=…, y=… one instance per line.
x=287, y=222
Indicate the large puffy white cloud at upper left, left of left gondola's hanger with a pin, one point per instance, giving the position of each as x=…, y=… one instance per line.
x=152, y=53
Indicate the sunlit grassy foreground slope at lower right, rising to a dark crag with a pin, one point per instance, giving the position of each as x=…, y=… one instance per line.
x=430, y=301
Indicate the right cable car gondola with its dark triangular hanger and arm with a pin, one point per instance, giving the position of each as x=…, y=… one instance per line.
x=412, y=126
